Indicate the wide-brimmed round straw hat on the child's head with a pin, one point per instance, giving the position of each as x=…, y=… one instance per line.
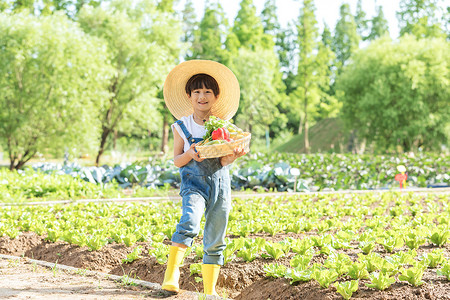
x=177, y=100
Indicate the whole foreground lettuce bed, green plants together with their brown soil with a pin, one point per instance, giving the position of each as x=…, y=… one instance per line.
x=388, y=245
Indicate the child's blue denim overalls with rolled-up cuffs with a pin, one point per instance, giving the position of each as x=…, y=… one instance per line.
x=205, y=187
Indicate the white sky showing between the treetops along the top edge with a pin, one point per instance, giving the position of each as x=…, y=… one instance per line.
x=326, y=10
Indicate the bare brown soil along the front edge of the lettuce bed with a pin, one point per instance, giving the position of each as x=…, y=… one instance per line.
x=237, y=280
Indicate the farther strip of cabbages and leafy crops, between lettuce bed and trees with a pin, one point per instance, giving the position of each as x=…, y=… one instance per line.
x=276, y=172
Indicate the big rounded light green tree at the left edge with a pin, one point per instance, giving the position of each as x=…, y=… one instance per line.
x=51, y=87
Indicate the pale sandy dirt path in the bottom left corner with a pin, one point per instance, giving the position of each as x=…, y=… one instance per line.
x=25, y=279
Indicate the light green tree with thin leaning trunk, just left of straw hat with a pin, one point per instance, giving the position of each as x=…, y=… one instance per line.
x=141, y=52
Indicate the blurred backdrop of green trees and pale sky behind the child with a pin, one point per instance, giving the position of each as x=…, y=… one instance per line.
x=81, y=80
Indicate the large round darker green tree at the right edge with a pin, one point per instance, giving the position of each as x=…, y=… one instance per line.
x=405, y=102
